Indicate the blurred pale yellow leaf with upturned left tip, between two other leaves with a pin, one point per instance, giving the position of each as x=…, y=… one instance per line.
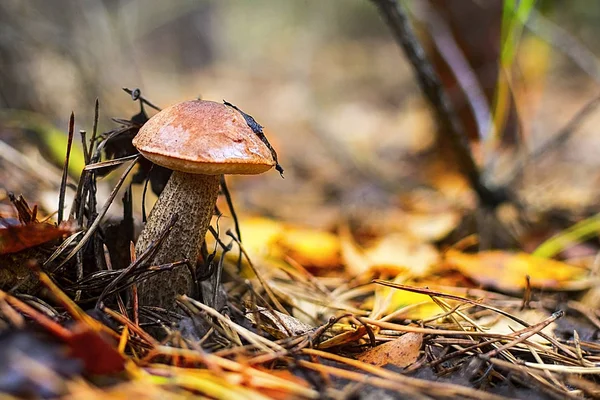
x=393, y=255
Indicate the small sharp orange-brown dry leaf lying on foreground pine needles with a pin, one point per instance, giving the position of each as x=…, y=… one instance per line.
x=400, y=352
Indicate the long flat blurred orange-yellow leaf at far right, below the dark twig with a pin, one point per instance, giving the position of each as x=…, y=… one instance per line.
x=507, y=271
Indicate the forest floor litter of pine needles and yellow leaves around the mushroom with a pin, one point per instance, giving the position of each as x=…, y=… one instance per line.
x=300, y=313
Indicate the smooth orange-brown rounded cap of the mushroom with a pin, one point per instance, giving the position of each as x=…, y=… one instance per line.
x=203, y=137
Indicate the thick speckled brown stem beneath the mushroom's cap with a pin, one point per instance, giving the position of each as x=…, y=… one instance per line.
x=193, y=198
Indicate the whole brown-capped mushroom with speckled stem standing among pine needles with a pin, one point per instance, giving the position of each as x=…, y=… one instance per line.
x=200, y=141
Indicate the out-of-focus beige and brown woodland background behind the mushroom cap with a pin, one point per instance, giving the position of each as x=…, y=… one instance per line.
x=325, y=78
